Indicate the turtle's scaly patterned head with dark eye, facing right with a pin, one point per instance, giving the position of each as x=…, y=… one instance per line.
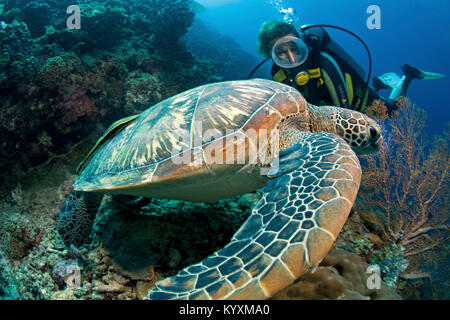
x=360, y=131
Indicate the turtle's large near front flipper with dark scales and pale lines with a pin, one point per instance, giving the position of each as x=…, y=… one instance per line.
x=290, y=230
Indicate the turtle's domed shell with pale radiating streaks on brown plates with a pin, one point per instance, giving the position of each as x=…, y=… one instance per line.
x=170, y=145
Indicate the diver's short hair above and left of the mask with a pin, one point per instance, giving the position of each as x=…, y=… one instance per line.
x=271, y=30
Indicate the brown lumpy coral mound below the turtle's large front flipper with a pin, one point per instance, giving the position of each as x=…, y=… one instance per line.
x=341, y=275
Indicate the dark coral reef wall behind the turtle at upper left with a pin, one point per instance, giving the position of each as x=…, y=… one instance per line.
x=58, y=85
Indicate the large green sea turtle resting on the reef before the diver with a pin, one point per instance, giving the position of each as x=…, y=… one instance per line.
x=212, y=142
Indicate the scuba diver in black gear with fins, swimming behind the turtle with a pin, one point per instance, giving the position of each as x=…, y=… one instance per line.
x=323, y=72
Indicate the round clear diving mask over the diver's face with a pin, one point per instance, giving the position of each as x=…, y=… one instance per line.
x=289, y=52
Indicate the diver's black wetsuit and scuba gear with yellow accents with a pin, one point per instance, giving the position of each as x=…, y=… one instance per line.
x=335, y=78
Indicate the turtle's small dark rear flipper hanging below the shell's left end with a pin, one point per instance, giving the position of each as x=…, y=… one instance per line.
x=77, y=216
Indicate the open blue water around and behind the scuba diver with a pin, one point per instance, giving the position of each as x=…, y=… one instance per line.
x=412, y=31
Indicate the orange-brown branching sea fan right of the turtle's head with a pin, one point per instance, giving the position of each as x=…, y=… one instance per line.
x=408, y=180
